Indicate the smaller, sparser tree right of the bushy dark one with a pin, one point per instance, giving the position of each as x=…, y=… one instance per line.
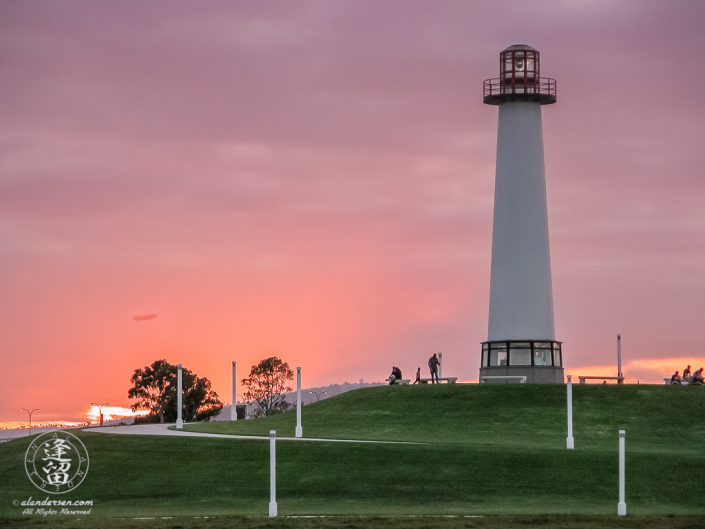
x=266, y=386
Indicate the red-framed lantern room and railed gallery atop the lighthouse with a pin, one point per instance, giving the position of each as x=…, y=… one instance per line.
x=519, y=78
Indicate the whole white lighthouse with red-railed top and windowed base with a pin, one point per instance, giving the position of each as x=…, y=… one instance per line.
x=521, y=343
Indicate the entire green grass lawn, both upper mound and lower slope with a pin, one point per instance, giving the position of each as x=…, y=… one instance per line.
x=468, y=449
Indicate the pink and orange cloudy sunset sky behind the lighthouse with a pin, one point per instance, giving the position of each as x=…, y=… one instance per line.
x=314, y=180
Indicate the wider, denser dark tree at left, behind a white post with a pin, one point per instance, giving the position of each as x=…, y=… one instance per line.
x=155, y=388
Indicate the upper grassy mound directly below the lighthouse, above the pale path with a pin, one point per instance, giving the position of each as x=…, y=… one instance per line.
x=495, y=414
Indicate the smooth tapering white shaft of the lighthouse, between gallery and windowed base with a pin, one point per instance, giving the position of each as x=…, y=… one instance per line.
x=521, y=297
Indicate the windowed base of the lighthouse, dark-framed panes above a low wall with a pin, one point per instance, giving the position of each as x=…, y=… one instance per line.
x=539, y=361
